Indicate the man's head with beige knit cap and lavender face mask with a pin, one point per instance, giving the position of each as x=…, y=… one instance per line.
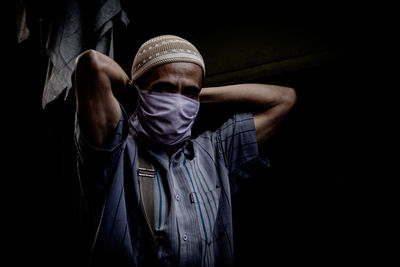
x=169, y=72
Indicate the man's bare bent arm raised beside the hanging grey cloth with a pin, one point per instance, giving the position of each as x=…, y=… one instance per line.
x=98, y=78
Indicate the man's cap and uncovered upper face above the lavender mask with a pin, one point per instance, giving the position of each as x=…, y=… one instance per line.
x=169, y=63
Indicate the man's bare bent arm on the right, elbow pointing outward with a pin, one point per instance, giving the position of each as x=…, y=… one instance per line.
x=268, y=103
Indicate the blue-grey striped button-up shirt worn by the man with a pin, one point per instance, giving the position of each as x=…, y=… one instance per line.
x=193, y=213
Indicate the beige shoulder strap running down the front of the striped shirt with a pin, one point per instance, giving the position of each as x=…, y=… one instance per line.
x=147, y=186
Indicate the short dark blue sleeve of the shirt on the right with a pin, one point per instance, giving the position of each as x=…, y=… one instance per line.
x=236, y=141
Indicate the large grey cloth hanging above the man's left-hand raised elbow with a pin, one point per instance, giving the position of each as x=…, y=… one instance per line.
x=81, y=25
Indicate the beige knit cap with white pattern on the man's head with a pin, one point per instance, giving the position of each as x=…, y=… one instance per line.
x=164, y=49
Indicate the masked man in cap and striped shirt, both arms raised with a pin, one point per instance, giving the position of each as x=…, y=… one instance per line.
x=158, y=197
